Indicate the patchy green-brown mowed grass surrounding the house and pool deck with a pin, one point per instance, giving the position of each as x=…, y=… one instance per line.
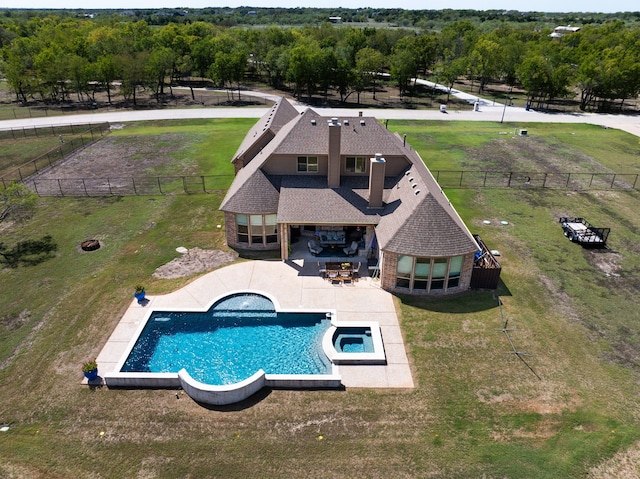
x=477, y=410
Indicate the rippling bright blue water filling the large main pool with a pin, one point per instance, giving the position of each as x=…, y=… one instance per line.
x=236, y=337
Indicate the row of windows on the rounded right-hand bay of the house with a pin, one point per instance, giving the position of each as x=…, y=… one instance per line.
x=428, y=274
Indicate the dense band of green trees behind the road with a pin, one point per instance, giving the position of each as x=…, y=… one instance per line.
x=56, y=59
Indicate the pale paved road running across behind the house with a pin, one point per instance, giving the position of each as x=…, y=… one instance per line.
x=488, y=111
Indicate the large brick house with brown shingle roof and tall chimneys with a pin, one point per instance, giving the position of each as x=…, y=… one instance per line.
x=305, y=176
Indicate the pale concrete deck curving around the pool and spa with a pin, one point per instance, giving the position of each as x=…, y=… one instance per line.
x=294, y=284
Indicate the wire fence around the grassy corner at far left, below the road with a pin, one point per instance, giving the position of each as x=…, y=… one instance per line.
x=88, y=134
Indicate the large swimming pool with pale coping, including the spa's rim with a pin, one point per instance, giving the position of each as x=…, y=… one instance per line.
x=239, y=344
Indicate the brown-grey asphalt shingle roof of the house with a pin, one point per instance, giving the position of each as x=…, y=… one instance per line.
x=416, y=219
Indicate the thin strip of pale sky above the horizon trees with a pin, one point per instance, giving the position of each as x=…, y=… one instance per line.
x=523, y=6
